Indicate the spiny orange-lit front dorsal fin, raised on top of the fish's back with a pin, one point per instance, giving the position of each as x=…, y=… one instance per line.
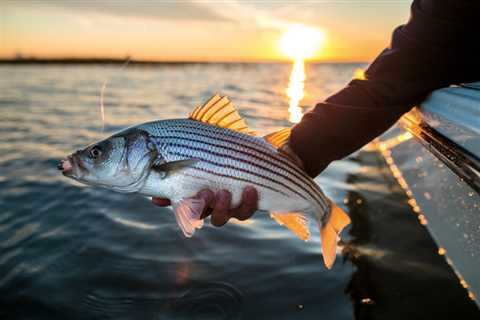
x=219, y=111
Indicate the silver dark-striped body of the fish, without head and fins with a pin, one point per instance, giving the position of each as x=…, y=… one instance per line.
x=231, y=160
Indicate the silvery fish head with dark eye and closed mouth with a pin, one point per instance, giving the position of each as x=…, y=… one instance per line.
x=121, y=162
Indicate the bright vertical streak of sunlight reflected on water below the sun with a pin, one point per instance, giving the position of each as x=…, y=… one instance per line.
x=295, y=90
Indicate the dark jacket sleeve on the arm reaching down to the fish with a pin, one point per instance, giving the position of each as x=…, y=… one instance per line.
x=439, y=46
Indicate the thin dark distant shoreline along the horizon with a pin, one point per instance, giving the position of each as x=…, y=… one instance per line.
x=112, y=61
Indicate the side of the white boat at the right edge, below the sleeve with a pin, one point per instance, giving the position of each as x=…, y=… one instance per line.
x=434, y=152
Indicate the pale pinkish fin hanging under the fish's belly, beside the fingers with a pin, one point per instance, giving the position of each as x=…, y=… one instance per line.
x=187, y=213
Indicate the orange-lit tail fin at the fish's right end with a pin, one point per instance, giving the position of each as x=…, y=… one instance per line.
x=329, y=233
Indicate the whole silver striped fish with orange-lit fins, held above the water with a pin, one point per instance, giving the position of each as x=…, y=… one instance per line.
x=212, y=149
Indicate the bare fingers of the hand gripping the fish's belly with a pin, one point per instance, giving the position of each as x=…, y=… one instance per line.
x=218, y=205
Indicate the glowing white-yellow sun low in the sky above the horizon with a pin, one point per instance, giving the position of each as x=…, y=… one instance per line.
x=301, y=42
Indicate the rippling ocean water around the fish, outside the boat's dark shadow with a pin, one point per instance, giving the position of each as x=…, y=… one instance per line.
x=68, y=251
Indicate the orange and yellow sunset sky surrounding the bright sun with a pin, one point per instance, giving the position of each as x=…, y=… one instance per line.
x=194, y=30
